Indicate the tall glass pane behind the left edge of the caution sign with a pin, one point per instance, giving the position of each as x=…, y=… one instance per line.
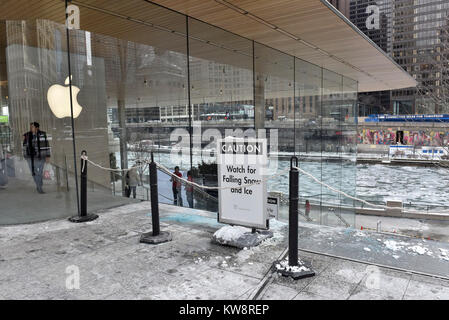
x=221, y=91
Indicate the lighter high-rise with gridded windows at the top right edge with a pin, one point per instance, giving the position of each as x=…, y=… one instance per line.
x=420, y=46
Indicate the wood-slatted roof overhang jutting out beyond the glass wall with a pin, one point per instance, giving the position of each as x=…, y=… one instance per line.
x=312, y=30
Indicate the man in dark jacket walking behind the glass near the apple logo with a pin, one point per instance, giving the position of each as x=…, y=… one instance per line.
x=37, y=151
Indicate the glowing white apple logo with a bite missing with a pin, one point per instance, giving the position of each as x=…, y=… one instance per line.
x=58, y=98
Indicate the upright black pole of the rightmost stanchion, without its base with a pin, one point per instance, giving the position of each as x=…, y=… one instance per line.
x=293, y=214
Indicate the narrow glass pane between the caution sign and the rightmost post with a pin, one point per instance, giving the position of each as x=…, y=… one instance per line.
x=274, y=92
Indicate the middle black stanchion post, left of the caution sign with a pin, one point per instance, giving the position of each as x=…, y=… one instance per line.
x=156, y=236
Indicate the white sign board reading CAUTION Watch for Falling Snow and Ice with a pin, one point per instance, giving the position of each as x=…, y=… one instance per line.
x=242, y=161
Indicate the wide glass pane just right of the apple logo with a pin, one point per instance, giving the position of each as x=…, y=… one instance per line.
x=132, y=71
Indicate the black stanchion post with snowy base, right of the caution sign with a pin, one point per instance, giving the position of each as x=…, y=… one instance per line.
x=293, y=267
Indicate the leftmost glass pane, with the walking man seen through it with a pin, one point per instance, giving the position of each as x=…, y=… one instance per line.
x=36, y=161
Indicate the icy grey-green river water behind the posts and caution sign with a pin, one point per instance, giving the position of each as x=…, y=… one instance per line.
x=418, y=187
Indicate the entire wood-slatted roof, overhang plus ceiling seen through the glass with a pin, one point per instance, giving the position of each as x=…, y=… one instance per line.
x=309, y=29
